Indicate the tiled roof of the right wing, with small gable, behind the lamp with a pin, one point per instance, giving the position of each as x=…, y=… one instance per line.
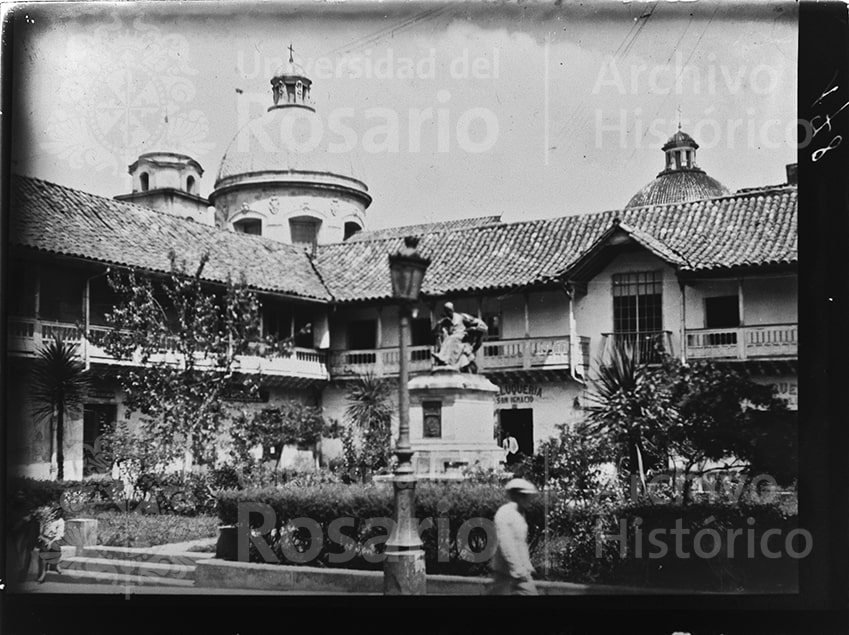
x=753, y=229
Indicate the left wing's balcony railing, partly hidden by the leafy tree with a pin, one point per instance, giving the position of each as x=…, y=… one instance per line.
x=26, y=335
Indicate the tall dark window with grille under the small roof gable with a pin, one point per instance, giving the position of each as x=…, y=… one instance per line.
x=638, y=302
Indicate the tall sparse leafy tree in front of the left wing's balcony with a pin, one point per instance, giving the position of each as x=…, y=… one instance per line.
x=184, y=337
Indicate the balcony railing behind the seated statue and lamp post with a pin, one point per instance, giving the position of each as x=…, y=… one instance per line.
x=498, y=355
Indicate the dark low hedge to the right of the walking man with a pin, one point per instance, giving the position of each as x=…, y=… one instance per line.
x=583, y=553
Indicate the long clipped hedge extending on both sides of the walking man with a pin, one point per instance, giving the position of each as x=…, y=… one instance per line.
x=574, y=548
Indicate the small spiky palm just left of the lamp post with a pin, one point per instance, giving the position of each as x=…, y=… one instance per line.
x=367, y=440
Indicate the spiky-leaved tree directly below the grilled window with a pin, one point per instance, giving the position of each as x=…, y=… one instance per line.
x=629, y=407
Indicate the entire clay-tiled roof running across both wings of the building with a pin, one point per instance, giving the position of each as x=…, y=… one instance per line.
x=743, y=230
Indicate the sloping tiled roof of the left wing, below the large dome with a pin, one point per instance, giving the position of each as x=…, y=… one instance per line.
x=61, y=220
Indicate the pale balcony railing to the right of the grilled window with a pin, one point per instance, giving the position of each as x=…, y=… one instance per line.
x=773, y=341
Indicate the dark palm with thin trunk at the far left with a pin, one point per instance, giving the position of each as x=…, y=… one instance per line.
x=58, y=388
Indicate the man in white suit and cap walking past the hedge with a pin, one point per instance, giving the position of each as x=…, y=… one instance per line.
x=511, y=564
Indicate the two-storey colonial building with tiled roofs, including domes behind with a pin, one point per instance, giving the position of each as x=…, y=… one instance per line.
x=686, y=265
